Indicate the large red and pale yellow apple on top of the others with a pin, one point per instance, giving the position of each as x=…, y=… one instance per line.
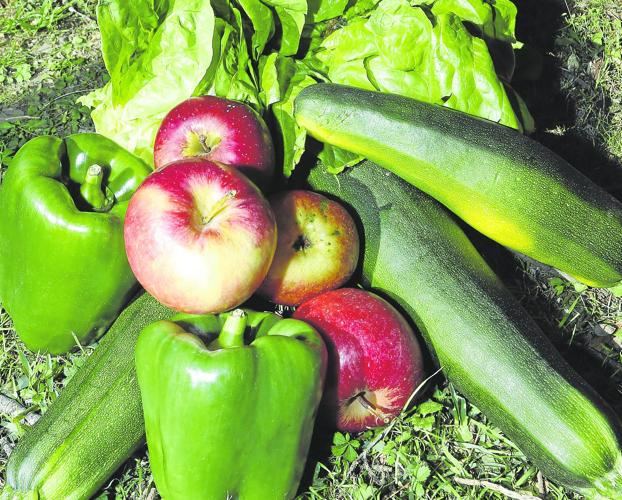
x=199, y=236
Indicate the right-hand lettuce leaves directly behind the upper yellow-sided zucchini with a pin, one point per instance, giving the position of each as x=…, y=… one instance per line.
x=426, y=50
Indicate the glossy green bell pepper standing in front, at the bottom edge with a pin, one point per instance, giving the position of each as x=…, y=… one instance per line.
x=225, y=419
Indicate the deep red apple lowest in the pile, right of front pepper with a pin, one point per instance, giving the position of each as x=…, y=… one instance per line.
x=372, y=352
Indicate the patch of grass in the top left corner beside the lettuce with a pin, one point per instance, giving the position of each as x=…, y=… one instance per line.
x=49, y=56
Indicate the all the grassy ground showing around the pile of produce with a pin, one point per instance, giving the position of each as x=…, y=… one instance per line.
x=49, y=56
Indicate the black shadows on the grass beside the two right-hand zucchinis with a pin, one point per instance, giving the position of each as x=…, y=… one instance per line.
x=538, y=25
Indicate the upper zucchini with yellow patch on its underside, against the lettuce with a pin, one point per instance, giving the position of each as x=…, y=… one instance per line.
x=505, y=185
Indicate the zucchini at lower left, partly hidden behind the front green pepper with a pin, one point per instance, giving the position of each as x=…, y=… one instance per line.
x=95, y=424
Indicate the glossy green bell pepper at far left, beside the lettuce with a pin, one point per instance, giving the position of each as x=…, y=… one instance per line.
x=63, y=269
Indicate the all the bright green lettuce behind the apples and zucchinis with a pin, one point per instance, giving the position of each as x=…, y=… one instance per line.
x=264, y=52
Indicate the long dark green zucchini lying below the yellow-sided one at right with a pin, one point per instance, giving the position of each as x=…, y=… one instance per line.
x=486, y=344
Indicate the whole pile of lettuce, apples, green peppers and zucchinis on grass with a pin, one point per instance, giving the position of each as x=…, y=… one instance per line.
x=187, y=191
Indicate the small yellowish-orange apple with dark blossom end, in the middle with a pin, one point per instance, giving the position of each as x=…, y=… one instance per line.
x=317, y=247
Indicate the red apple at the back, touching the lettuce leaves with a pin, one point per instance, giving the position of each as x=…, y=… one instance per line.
x=219, y=130
